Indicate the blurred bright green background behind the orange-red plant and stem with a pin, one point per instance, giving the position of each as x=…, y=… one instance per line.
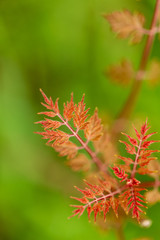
x=61, y=46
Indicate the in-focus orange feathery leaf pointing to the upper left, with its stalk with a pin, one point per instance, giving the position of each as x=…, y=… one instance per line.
x=59, y=139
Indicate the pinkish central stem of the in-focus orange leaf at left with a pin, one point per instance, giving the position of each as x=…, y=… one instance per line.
x=94, y=157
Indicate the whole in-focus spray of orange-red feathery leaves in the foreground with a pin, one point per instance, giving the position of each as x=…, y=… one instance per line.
x=104, y=195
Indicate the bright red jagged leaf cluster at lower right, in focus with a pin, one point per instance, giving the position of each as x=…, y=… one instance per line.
x=129, y=194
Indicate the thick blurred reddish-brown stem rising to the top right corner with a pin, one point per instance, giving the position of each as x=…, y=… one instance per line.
x=129, y=104
